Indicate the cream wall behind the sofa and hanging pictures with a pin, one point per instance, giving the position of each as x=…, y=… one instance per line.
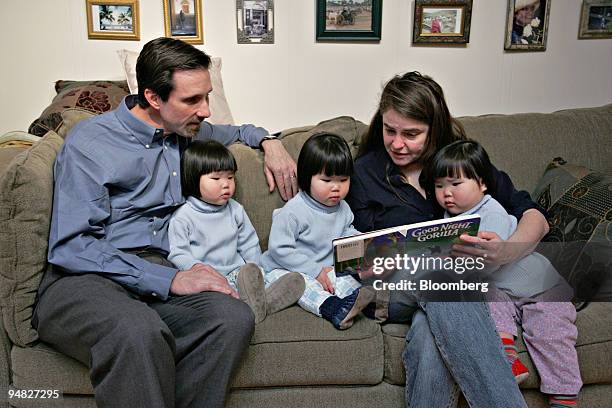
x=297, y=81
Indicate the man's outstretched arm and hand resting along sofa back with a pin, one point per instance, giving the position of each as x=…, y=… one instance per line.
x=280, y=169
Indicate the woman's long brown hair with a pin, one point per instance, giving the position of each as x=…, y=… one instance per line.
x=417, y=97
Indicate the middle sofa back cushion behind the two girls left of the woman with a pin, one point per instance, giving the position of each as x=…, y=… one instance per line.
x=251, y=187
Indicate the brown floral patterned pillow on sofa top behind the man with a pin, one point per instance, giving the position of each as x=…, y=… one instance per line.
x=93, y=96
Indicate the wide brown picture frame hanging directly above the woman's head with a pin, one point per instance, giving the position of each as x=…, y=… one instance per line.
x=442, y=22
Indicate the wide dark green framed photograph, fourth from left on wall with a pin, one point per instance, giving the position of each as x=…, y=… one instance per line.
x=354, y=20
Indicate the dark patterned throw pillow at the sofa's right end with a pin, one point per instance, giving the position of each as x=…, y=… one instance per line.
x=579, y=244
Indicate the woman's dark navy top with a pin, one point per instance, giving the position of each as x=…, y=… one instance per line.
x=380, y=198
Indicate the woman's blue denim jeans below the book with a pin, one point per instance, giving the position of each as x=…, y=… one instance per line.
x=453, y=346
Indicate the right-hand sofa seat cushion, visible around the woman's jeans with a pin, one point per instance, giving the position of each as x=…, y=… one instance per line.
x=594, y=347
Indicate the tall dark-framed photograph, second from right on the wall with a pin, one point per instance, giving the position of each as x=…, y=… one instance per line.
x=527, y=25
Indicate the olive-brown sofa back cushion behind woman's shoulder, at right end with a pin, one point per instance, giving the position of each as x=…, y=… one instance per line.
x=523, y=144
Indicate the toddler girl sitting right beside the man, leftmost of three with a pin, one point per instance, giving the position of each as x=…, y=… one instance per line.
x=213, y=229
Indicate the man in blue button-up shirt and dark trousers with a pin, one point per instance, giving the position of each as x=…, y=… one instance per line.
x=152, y=336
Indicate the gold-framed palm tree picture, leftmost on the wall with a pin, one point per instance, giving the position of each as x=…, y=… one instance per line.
x=112, y=19
